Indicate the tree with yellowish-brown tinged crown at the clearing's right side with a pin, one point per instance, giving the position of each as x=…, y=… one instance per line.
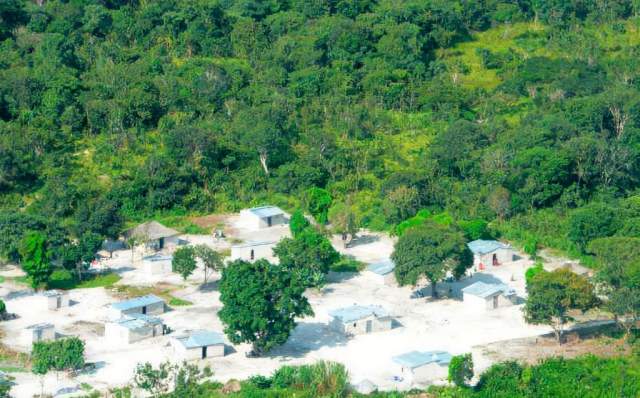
x=552, y=294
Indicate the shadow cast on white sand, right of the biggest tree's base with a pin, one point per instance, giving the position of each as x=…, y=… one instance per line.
x=308, y=337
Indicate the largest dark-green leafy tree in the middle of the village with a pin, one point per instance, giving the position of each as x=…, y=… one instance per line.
x=261, y=302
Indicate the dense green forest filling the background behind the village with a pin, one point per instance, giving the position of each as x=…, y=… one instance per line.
x=524, y=114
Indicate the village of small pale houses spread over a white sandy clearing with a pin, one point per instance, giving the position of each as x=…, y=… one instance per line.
x=388, y=337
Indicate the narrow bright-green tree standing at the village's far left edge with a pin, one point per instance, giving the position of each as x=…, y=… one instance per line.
x=35, y=258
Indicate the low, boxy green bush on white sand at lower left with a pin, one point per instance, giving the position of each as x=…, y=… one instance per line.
x=62, y=354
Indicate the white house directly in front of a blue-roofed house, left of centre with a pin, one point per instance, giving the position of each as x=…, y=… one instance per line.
x=132, y=328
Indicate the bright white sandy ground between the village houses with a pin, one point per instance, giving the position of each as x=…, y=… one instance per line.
x=421, y=323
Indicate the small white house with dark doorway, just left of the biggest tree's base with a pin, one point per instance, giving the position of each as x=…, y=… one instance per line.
x=199, y=344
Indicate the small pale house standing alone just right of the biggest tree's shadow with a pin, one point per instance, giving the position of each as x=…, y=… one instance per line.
x=359, y=319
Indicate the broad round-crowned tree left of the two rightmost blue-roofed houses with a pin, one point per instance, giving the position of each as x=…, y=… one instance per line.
x=431, y=250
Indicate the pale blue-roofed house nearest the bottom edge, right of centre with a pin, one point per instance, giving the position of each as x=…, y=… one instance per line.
x=423, y=366
